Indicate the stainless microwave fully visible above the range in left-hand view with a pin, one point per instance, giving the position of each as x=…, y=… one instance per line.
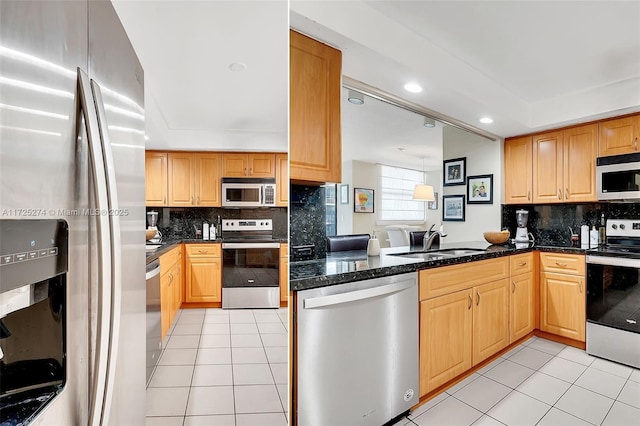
x=247, y=192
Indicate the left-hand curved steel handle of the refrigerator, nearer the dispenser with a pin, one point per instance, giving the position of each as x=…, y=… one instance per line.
x=98, y=387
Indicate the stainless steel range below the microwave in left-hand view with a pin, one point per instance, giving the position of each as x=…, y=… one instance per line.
x=251, y=261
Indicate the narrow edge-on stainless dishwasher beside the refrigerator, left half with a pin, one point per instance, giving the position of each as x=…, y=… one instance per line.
x=154, y=327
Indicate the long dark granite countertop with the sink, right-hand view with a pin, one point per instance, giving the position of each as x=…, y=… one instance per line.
x=349, y=266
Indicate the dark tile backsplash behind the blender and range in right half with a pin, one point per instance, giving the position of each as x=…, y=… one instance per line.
x=549, y=223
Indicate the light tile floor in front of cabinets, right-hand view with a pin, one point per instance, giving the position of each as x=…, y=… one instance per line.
x=538, y=383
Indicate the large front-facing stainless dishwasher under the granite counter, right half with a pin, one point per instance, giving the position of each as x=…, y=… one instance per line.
x=357, y=348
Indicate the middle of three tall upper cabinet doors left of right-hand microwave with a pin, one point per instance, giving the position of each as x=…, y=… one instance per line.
x=547, y=168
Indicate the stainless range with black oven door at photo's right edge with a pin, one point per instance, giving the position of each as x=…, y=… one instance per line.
x=613, y=294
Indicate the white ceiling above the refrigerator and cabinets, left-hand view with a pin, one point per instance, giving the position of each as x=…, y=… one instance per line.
x=193, y=100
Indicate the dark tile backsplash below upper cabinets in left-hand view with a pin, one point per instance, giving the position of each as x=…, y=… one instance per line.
x=181, y=223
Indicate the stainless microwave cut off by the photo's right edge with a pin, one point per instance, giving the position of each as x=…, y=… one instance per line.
x=618, y=177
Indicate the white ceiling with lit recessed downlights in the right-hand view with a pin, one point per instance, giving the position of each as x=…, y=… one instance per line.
x=530, y=65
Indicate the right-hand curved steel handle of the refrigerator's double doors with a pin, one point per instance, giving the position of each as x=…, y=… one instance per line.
x=116, y=251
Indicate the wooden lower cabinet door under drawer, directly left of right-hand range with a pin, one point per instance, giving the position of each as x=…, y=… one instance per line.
x=563, y=305
